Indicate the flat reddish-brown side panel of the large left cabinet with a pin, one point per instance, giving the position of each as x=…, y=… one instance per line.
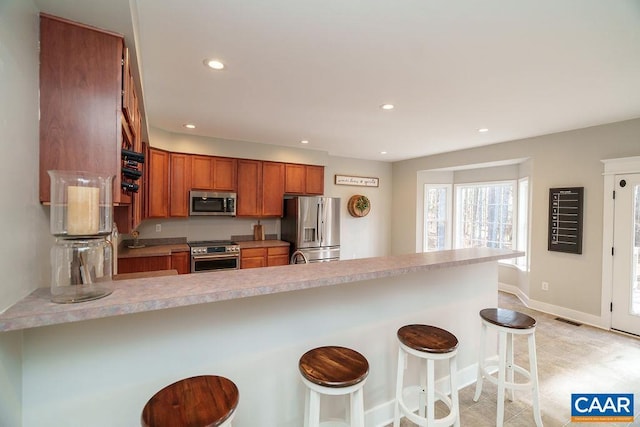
x=80, y=101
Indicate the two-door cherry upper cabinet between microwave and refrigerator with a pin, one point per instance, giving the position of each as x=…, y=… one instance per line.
x=260, y=188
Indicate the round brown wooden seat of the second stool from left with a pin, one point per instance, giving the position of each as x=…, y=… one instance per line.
x=333, y=366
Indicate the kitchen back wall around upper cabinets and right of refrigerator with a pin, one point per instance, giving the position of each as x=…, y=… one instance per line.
x=360, y=237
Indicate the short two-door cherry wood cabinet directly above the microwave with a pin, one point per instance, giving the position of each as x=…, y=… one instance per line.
x=213, y=173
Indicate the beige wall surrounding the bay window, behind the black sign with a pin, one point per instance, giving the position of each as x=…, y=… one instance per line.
x=564, y=159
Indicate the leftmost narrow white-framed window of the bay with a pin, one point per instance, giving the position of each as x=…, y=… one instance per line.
x=437, y=217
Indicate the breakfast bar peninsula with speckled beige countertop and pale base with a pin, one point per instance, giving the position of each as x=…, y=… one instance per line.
x=96, y=363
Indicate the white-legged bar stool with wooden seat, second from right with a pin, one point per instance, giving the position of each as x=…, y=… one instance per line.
x=430, y=344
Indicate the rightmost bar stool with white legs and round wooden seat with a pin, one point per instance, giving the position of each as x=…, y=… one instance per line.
x=508, y=323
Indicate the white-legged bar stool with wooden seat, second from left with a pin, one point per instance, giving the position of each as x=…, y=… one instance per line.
x=333, y=371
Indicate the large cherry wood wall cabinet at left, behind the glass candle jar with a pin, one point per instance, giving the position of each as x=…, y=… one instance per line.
x=84, y=123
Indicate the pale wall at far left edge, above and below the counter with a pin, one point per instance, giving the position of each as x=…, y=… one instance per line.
x=24, y=244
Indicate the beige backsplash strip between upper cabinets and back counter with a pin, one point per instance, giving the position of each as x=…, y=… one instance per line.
x=207, y=228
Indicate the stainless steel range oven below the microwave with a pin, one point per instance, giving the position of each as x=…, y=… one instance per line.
x=209, y=255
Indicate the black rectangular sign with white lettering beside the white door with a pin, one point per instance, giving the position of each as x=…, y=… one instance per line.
x=565, y=219
